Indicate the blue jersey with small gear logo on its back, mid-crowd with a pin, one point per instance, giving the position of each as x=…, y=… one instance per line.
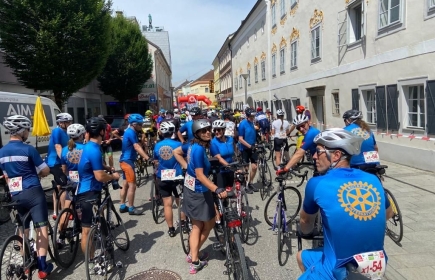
x=164, y=153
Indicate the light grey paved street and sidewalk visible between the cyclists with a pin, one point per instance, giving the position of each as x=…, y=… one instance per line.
x=151, y=246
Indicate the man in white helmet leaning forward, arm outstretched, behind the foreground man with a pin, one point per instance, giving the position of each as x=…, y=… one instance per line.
x=301, y=122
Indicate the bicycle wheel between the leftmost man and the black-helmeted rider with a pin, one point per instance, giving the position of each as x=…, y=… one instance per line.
x=65, y=238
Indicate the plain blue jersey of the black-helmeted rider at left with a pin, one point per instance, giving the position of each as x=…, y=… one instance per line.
x=90, y=161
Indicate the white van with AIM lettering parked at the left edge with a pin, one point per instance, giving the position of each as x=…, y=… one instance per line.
x=24, y=104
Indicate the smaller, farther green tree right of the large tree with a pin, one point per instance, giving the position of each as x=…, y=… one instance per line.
x=129, y=64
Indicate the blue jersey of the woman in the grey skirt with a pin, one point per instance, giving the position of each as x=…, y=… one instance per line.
x=197, y=158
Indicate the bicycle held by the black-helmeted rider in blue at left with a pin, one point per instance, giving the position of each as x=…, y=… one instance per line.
x=102, y=236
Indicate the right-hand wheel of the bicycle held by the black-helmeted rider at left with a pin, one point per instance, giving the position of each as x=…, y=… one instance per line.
x=117, y=229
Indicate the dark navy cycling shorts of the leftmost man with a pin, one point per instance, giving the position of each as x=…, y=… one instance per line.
x=32, y=200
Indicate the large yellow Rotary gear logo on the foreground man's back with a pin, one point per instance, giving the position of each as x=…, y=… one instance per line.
x=360, y=200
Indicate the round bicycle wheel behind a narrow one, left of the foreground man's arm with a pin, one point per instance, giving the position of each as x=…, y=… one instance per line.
x=293, y=201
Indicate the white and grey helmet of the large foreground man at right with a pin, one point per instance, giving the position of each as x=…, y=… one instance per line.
x=338, y=138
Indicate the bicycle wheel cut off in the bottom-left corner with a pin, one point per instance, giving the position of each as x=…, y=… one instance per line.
x=13, y=264
